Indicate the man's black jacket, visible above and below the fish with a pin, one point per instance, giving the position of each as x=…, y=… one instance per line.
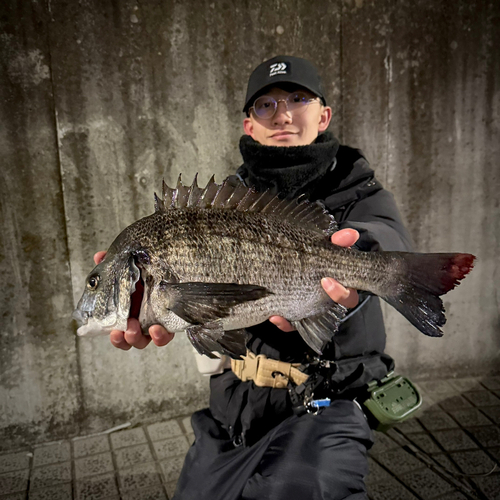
x=357, y=200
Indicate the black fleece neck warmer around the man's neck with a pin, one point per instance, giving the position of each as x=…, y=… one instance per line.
x=288, y=170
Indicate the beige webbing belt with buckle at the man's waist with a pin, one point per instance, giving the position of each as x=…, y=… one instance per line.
x=266, y=372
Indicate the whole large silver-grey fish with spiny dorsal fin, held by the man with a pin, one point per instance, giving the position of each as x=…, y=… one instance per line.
x=210, y=265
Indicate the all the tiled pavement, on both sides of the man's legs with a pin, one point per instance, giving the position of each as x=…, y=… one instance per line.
x=459, y=428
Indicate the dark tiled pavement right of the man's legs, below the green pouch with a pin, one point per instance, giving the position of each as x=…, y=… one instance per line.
x=459, y=428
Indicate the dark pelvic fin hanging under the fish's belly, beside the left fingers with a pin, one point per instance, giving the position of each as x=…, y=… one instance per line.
x=211, y=337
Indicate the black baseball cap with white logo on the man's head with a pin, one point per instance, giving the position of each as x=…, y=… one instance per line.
x=283, y=69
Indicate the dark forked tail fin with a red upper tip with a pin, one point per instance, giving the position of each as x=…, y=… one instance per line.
x=421, y=279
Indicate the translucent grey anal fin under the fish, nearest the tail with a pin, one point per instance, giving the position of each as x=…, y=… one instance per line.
x=319, y=329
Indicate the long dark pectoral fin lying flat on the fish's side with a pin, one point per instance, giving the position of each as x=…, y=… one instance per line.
x=200, y=303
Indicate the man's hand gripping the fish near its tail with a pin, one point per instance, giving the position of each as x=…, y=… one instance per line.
x=348, y=297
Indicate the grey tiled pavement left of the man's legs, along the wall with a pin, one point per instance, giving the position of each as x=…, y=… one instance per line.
x=140, y=463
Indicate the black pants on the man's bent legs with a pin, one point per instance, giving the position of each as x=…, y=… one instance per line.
x=316, y=457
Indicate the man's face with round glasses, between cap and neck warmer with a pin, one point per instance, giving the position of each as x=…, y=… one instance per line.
x=288, y=128
